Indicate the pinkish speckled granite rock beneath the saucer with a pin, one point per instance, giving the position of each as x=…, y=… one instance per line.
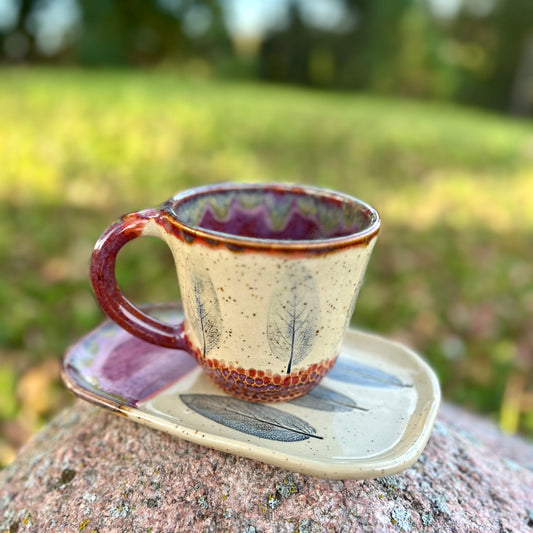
x=91, y=470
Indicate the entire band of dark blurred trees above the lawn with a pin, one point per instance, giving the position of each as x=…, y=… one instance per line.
x=477, y=54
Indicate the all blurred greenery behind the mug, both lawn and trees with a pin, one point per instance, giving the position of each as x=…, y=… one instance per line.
x=101, y=127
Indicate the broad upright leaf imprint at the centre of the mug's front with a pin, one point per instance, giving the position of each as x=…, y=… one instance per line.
x=293, y=317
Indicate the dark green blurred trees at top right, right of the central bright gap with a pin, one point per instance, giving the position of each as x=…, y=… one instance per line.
x=478, y=56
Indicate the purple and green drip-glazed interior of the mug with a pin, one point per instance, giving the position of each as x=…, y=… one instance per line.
x=279, y=213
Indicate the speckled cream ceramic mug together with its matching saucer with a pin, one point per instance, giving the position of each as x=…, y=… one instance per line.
x=258, y=358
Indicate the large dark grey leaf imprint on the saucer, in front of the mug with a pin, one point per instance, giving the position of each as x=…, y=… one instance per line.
x=251, y=418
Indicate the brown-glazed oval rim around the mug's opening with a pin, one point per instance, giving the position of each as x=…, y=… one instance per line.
x=239, y=242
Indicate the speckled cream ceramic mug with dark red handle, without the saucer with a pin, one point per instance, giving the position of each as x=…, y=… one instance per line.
x=268, y=273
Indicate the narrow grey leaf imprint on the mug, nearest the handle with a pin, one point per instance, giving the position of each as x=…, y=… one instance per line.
x=204, y=311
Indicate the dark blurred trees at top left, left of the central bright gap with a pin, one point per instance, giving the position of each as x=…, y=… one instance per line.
x=119, y=32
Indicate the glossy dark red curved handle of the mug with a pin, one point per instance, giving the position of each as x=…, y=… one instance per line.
x=108, y=293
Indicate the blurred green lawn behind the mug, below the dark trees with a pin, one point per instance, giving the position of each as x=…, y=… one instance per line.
x=452, y=273
